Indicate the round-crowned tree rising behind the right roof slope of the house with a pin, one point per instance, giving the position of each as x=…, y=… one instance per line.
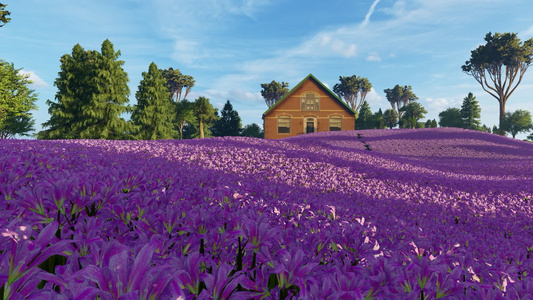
x=352, y=90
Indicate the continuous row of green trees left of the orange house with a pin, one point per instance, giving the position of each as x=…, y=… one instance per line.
x=92, y=98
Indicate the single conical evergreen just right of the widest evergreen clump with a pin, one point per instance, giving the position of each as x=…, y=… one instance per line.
x=154, y=112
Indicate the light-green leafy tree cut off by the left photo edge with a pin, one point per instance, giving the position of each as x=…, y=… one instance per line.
x=16, y=100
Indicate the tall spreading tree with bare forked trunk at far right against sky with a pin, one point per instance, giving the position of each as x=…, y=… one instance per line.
x=503, y=60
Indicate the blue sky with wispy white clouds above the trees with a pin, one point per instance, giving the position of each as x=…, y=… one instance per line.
x=230, y=47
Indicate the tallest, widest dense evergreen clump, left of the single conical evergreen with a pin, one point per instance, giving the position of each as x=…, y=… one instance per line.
x=92, y=94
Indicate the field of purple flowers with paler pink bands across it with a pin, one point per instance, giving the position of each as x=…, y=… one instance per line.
x=425, y=214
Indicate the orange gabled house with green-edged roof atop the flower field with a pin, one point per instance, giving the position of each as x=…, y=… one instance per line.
x=308, y=107
